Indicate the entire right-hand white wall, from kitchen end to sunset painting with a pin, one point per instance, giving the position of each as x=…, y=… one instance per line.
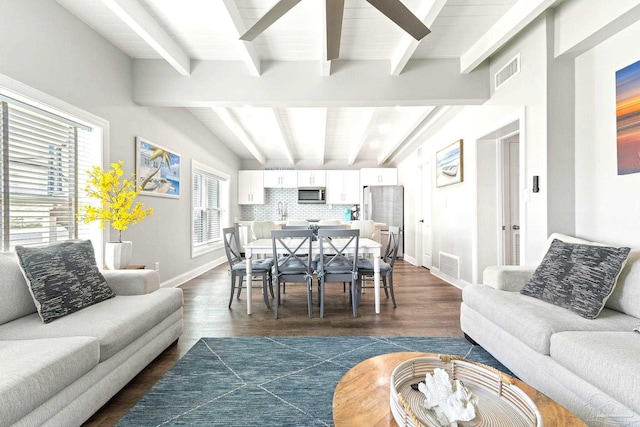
x=569, y=113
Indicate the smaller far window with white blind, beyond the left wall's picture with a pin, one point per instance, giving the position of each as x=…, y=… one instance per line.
x=206, y=207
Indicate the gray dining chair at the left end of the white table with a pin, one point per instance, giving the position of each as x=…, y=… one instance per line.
x=238, y=267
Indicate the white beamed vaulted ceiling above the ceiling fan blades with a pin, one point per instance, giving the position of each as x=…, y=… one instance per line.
x=277, y=101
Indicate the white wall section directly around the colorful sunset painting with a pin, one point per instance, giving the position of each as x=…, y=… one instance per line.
x=607, y=204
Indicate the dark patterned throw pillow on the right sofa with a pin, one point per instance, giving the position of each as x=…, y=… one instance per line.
x=577, y=277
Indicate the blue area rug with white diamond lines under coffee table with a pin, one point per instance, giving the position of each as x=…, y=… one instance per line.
x=271, y=381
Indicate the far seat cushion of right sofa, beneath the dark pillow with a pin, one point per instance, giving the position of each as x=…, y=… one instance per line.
x=534, y=321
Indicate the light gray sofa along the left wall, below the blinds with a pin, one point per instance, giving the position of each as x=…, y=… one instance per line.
x=60, y=373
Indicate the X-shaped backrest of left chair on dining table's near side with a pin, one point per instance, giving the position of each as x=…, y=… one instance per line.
x=292, y=250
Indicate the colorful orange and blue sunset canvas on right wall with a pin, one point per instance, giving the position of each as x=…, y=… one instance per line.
x=628, y=118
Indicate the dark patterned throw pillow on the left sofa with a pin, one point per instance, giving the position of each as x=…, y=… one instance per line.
x=63, y=278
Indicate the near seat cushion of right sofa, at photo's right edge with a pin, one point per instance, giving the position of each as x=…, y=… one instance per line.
x=608, y=360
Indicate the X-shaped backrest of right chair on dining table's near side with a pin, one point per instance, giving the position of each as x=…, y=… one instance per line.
x=335, y=246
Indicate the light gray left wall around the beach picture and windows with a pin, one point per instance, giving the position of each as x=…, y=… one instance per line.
x=47, y=48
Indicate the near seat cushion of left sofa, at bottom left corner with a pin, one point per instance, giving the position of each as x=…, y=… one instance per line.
x=33, y=371
